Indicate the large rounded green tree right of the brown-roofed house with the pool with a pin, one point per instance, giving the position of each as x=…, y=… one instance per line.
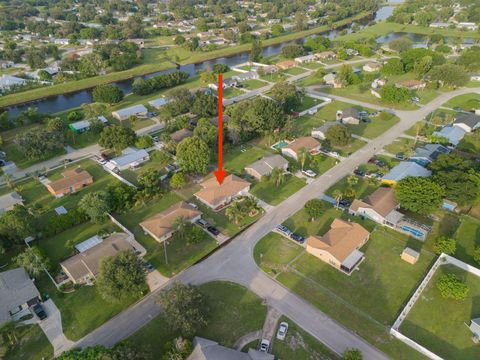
x=419, y=194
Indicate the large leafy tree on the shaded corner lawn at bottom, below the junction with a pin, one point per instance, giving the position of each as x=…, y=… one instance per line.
x=184, y=308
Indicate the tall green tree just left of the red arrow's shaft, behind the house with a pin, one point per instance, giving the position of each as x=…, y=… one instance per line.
x=193, y=155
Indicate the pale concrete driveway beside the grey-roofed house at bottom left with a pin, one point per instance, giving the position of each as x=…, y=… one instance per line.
x=52, y=327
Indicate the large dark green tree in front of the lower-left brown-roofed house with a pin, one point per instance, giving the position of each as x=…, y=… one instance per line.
x=121, y=277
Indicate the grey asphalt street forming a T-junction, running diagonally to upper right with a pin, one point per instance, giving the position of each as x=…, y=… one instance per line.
x=234, y=262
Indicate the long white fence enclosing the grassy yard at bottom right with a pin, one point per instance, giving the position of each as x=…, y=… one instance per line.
x=443, y=259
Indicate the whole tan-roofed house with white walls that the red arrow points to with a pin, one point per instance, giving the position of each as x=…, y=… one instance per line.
x=217, y=196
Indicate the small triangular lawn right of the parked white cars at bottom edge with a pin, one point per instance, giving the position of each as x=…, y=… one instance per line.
x=300, y=345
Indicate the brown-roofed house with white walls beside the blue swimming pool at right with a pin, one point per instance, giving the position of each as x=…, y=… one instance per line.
x=380, y=207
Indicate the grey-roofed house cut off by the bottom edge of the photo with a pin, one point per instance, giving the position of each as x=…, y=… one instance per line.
x=204, y=349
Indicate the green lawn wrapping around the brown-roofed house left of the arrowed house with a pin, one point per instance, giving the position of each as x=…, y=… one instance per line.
x=180, y=255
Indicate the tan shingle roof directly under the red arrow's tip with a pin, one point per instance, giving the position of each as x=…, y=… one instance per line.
x=214, y=193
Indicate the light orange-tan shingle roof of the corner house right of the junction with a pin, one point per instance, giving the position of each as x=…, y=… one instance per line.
x=341, y=240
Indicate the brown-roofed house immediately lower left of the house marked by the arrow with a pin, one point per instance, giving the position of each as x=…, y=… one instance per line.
x=162, y=225
